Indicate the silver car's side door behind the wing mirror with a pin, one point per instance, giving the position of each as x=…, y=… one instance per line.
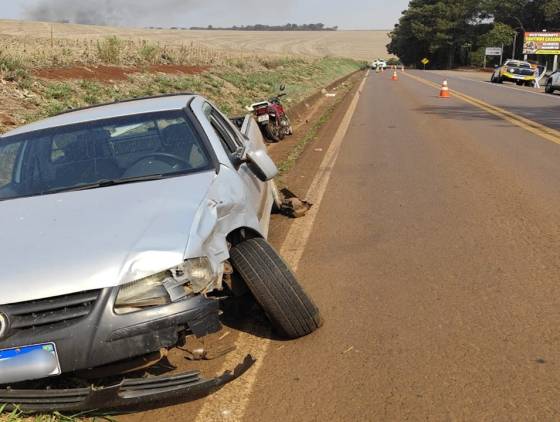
x=233, y=142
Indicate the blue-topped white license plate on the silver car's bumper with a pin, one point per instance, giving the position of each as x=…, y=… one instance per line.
x=30, y=362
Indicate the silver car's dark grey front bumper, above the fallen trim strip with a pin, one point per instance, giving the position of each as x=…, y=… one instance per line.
x=103, y=337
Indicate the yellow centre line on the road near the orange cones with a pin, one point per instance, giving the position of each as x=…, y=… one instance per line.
x=538, y=129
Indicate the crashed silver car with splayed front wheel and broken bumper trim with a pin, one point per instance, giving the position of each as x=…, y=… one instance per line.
x=124, y=228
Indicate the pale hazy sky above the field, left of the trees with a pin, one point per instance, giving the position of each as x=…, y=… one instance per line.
x=347, y=14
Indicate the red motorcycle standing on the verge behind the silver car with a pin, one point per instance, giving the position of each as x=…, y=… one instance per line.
x=272, y=118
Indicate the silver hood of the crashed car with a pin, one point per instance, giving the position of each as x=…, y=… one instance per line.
x=65, y=243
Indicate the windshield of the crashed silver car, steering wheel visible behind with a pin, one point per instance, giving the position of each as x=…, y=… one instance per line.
x=102, y=153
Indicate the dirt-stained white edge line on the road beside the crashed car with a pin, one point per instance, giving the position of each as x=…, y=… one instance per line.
x=292, y=251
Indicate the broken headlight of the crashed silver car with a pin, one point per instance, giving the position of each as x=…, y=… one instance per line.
x=193, y=276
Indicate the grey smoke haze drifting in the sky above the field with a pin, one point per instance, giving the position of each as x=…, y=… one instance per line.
x=137, y=12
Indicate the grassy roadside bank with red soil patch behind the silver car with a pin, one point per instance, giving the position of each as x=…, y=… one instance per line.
x=231, y=81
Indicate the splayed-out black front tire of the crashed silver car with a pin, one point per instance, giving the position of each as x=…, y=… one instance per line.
x=276, y=289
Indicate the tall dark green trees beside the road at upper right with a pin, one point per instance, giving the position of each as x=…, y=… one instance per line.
x=455, y=32
